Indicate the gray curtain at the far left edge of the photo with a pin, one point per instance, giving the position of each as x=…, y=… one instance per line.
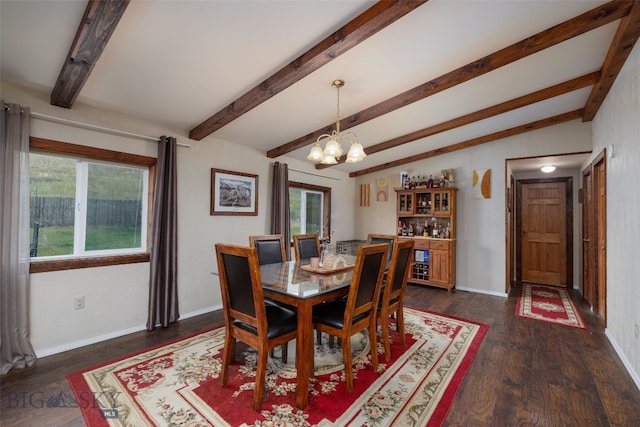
x=15, y=346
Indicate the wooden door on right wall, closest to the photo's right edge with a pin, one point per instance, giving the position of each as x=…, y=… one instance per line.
x=600, y=235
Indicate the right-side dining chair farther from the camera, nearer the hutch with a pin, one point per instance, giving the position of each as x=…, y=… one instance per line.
x=393, y=289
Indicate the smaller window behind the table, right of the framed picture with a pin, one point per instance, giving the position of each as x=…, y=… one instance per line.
x=309, y=208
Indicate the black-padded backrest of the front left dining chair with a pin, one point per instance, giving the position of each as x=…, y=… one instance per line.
x=240, y=285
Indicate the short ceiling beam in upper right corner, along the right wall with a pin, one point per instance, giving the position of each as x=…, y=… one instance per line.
x=621, y=46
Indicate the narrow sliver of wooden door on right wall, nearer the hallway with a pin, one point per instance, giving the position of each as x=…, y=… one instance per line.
x=588, y=279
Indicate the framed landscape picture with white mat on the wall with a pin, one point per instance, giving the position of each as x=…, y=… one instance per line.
x=233, y=193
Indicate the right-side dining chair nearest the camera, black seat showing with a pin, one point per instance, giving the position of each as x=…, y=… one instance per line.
x=343, y=318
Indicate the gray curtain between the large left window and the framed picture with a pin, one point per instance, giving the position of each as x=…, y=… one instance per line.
x=163, y=282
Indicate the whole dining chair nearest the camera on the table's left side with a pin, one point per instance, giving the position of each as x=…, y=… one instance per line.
x=246, y=316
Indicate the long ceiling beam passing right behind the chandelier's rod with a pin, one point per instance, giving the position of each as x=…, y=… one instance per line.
x=576, y=26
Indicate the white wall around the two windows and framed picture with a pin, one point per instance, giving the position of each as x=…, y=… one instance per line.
x=116, y=296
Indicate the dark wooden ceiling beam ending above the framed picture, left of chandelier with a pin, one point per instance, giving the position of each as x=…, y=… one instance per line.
x=374, y=19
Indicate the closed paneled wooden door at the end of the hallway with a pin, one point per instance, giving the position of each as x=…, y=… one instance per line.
x=543, y=232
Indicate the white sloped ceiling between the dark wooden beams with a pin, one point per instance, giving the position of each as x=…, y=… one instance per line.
x=179, y=62
